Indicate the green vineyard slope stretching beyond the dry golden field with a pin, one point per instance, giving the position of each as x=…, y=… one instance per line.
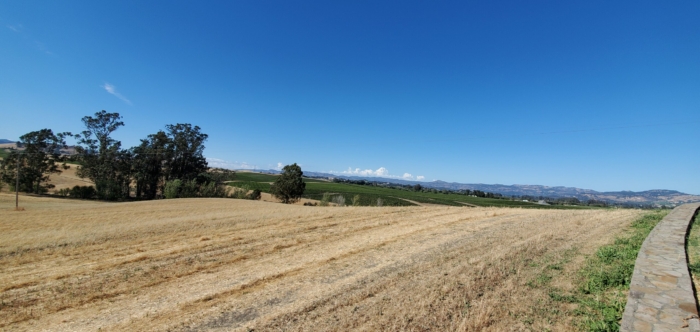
x=315, y=189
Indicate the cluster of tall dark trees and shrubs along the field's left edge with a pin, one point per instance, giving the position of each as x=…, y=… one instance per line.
x=170, y=159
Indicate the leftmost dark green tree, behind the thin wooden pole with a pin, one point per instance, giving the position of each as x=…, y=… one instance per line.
x=37, y=161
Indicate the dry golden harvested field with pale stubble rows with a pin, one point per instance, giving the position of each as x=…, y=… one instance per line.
x=208, y=264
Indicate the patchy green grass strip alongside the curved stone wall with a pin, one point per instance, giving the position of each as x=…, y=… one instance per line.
x=591, y=292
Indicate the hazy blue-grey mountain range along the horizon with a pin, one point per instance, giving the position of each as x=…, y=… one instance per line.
x=657, y=196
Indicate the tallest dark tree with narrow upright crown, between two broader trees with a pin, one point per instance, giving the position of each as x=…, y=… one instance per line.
x=103, y=160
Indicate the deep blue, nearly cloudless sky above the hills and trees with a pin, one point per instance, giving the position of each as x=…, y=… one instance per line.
x=589, y=94
